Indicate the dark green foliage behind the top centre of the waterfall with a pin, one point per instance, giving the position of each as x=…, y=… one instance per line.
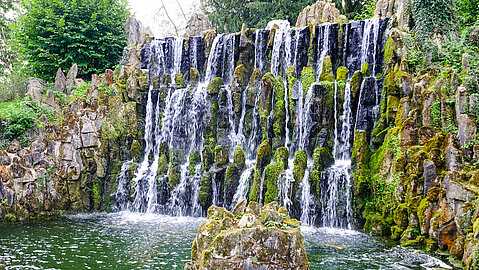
x=229, y=15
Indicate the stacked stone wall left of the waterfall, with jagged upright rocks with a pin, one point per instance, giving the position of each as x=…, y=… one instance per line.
x=72, y=164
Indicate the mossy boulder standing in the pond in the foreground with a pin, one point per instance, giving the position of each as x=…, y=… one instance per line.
x=264, y=238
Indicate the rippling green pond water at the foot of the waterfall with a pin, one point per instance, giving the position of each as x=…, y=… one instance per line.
x=145, y=241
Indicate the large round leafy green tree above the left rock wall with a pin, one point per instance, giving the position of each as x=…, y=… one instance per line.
x=57, y=33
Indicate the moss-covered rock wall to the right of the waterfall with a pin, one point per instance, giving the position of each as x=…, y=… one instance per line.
x=417, y=179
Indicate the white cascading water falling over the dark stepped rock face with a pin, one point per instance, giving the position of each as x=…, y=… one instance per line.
x=176, y=118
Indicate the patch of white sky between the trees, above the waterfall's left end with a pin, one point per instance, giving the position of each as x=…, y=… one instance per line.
x=150, y=13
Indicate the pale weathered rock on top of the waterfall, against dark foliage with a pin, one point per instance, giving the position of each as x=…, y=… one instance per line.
x=320, y=12
